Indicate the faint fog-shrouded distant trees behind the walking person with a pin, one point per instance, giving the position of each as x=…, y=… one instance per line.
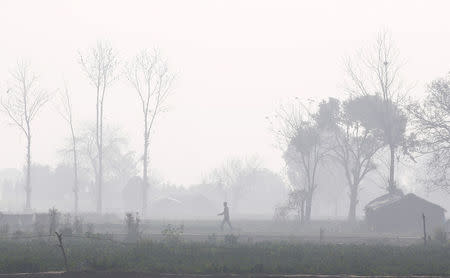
x=250, y=189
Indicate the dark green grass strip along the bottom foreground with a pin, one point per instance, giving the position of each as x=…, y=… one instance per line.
x=196, y=257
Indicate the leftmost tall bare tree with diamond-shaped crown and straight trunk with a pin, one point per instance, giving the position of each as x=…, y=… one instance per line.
x=22, y=103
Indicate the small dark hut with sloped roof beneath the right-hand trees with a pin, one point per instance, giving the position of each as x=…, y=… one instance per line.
x=398, y=213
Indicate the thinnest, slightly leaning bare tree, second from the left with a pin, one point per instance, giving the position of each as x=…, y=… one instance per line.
x=67, y=115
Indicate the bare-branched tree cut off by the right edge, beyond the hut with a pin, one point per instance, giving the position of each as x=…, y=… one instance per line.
x=432, y=122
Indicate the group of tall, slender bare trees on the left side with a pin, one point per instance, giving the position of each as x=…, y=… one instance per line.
x=98, y=147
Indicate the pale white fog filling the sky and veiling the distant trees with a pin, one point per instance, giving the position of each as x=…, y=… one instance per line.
x=233, y=66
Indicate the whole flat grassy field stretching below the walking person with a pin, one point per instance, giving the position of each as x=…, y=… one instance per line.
x=257, y=247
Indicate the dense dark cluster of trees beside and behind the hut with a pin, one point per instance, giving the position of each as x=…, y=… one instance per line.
x=377, y=124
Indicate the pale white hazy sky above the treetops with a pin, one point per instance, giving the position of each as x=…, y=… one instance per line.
x=234, y=61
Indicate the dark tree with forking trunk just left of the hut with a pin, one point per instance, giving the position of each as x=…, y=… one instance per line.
x=353, y=145
